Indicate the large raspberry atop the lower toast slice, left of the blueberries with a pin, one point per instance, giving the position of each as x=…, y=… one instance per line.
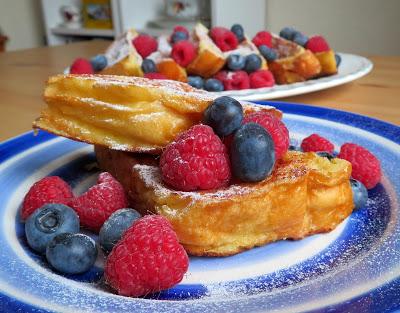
x=196, y=160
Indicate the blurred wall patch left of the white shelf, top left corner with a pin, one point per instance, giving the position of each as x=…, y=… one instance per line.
x=21, y=21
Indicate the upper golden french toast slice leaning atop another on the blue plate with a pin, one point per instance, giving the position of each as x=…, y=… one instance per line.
x=123, y=113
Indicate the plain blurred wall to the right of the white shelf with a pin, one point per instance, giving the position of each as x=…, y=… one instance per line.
x=357, y=26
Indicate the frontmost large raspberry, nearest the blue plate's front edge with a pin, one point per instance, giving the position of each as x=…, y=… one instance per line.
x=147, y=259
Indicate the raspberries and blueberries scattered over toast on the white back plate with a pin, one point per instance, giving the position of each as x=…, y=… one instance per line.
x=241, y=70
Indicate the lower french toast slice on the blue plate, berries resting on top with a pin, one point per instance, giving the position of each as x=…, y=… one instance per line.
x=305, y=194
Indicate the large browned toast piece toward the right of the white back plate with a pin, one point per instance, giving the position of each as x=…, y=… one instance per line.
x=294, y=63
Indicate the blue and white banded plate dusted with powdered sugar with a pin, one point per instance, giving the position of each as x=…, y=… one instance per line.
x=355, y=268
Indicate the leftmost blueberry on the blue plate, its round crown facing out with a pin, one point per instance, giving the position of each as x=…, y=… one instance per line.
x=47, y=222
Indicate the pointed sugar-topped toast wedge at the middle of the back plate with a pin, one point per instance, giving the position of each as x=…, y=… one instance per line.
x=209, y=59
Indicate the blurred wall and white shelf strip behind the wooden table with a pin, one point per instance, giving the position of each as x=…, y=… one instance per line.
x=358, y=26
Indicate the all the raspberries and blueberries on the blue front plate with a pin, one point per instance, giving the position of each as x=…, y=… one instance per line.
x=143, y=253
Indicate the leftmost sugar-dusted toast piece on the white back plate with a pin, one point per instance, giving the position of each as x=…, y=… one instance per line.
x=123, y=57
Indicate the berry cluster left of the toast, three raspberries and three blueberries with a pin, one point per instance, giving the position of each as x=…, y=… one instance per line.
x=143, y=253
